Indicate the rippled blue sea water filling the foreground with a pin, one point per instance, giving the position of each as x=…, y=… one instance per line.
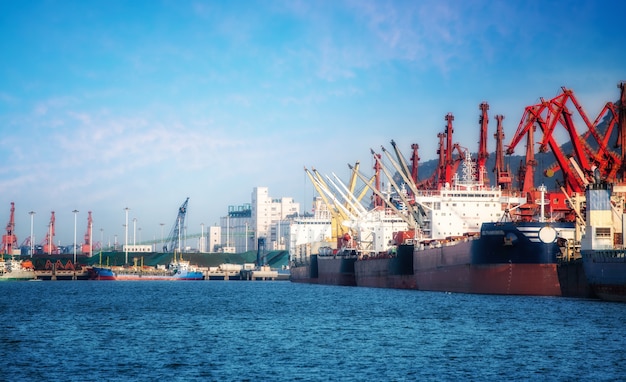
x=260, y=331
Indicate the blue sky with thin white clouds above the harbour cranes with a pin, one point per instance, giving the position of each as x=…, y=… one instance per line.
x=112, y=104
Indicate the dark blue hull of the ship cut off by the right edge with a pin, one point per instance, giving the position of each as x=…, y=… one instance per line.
x=606, y=272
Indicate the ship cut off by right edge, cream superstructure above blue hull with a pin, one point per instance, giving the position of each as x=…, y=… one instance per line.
x=602, y=246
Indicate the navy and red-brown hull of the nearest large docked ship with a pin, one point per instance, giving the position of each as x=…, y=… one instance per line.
x=508, y=258
